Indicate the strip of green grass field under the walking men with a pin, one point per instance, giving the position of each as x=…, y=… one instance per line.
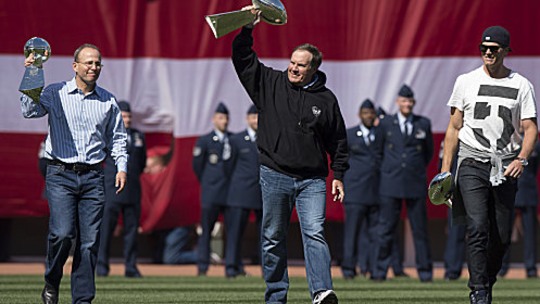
x=117, y=289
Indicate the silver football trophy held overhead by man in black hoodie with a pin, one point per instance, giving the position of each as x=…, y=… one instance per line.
x=272, y=12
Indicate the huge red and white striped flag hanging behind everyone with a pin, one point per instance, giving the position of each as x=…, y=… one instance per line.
x=161, y=56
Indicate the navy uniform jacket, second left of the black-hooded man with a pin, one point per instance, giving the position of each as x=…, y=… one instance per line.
x=209, y=167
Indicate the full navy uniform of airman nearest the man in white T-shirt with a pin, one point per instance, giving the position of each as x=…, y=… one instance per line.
x=405, y=156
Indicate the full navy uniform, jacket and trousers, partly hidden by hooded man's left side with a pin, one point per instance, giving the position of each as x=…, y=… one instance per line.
x=244, y=195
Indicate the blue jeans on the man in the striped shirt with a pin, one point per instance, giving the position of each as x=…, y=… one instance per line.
x=76, y=202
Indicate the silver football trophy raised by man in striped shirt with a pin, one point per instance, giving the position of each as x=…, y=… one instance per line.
x=33, y=81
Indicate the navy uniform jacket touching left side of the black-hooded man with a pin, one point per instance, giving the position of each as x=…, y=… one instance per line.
x=244, y=190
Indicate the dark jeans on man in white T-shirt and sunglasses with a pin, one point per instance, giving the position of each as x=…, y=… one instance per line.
x=489, y=212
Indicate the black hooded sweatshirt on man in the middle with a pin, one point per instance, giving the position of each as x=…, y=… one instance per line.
x=297, y=126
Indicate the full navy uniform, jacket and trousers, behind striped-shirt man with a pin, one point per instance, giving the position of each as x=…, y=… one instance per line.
x=127, y=202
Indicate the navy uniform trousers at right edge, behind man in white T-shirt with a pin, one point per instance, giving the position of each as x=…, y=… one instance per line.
x=529, y=223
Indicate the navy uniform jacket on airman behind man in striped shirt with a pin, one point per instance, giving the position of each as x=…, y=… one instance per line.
x=131, y=194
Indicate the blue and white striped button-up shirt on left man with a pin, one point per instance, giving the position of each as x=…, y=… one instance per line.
x=82, y=128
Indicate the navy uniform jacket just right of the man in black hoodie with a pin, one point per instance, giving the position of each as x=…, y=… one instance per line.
x=361, y=181
